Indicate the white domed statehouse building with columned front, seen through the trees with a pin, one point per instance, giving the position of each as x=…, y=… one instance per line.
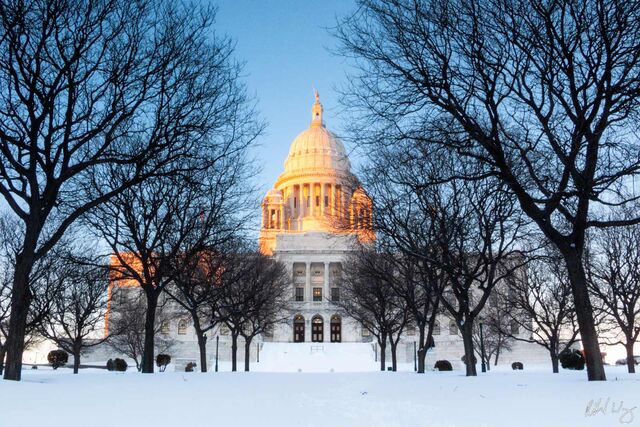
x=314, y=216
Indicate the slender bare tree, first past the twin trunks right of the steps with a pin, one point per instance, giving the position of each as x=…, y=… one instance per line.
x=396, y=176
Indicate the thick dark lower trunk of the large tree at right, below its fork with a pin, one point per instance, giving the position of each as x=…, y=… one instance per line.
x=584, y=313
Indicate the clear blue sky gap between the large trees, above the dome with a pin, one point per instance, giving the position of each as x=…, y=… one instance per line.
x=286, y=46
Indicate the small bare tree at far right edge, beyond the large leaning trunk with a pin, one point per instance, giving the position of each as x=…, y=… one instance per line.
x=614, y=278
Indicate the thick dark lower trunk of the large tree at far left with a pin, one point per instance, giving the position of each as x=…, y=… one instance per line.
x=21, y=298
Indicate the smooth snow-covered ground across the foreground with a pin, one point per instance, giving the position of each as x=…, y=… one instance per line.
x=532, y=397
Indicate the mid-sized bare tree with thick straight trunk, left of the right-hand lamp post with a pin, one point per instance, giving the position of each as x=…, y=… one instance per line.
x=478, y=228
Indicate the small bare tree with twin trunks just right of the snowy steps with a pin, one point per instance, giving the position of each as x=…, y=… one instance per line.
x=368, y=297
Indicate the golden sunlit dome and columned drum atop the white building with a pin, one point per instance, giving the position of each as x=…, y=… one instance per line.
x=317, y=191
